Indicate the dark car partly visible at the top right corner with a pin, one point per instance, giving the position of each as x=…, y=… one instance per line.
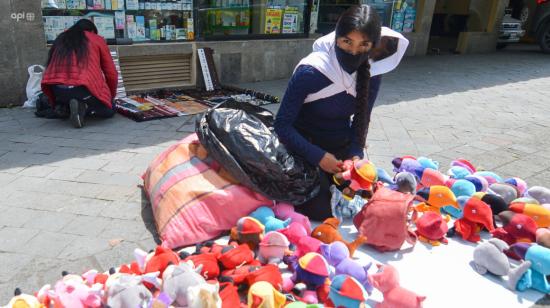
x=535, y=16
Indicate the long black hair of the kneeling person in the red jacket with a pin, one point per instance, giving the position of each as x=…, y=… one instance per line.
x=72, y=41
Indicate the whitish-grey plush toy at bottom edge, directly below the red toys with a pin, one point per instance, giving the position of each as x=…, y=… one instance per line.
x=187, y=288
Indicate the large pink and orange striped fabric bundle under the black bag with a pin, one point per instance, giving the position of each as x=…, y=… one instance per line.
x=192, y=197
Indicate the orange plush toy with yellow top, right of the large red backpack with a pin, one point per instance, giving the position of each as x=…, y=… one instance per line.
x=434, y=198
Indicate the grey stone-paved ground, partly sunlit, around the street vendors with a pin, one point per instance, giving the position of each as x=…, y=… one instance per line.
x=71, y=201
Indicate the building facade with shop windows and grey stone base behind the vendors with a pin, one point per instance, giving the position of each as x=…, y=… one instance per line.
x=252, y=40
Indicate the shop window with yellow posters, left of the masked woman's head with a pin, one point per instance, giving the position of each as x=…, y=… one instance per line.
x=226, y=18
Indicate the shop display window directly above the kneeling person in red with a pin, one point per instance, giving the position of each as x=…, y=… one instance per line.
x=138, y=20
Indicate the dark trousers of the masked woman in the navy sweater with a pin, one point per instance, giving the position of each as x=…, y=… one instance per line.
x=319, y=208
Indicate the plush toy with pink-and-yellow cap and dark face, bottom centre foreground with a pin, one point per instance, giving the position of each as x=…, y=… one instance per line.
x=312, y=269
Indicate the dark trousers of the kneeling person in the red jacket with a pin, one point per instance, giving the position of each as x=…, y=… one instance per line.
x=96, y=108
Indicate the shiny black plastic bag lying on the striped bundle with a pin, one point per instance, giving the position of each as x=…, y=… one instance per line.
x=240, y=137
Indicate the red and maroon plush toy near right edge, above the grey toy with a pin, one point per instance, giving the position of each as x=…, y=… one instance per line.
x=515, y=228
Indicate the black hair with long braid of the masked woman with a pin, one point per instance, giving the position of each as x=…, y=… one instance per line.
x=364, y=19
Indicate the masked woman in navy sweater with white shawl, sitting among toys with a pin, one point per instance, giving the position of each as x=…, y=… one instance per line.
x=338, y=80
